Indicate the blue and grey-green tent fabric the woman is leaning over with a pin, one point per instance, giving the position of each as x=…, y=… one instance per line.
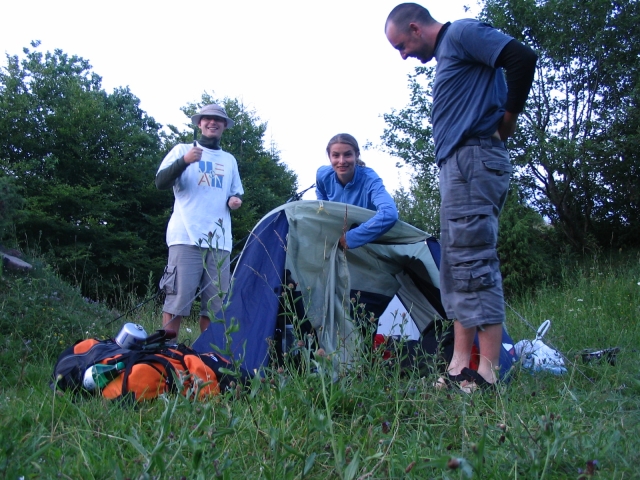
x=299, y=241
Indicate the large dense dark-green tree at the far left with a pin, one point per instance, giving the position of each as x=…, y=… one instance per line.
x=85, y=162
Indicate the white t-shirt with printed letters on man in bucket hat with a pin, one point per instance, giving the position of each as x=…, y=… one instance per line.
x=201, y=193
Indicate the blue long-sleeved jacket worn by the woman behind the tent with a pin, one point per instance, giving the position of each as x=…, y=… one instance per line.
x=364, y=190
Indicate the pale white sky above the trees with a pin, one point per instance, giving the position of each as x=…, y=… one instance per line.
x=309, y=70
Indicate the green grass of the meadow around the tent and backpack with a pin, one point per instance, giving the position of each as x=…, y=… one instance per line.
x=370, y=424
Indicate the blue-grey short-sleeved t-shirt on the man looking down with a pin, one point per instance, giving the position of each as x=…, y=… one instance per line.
x=468, y=92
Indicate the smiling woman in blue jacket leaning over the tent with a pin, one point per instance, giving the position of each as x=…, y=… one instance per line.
x=348, y=180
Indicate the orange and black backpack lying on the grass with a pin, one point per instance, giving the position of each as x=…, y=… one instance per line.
x=147, y=374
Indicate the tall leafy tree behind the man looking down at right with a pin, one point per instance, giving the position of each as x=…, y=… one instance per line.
x=576, y=149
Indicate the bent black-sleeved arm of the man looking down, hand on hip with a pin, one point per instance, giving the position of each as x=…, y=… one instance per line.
x=519, y=63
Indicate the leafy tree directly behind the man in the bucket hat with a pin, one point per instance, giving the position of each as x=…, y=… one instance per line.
x=267, y=181
